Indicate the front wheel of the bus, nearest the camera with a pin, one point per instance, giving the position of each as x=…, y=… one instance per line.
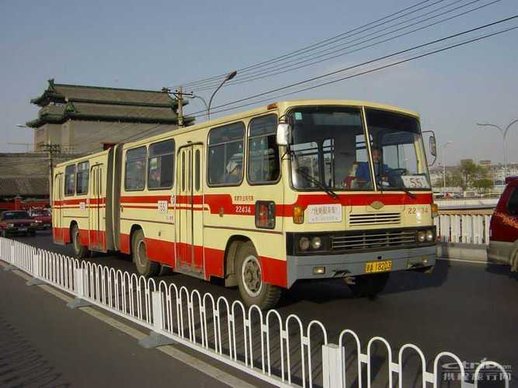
x=251, y=286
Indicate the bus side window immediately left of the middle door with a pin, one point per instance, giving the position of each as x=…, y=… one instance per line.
x=161, y=165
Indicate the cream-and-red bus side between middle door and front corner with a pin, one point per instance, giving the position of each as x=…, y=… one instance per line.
x=232, y=211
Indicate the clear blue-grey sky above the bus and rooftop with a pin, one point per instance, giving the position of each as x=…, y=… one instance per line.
x=153, y=44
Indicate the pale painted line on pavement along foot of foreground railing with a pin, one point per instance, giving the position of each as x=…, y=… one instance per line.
x=171, y=351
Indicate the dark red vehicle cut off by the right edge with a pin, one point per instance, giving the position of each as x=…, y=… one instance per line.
x=503, y=230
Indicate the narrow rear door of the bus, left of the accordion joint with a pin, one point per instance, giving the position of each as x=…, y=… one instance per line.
x=96, y=209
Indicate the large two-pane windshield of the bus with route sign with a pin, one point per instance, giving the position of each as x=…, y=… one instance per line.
x=330, y=152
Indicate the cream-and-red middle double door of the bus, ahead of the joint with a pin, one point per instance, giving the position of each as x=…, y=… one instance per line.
x=189, y=209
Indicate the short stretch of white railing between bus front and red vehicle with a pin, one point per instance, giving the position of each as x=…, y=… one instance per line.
x=463, y=228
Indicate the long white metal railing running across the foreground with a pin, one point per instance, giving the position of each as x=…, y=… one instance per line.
x=280, y=350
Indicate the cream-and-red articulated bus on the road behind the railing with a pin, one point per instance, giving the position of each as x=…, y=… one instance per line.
x=293, y=190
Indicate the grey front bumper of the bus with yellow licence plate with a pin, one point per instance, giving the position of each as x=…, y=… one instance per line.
x=342, y=265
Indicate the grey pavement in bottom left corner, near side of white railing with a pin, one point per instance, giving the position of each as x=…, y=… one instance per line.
x=43, y=343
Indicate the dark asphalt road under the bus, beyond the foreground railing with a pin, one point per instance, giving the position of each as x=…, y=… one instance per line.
x=468, y=309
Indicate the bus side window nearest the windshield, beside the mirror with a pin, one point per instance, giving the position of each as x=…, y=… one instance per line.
x=263, y=151
